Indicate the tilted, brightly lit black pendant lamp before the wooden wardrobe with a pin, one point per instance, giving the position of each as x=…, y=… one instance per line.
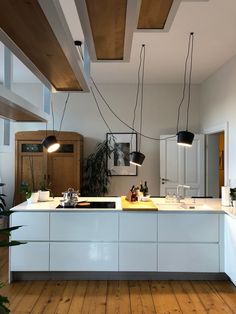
x=50, y=142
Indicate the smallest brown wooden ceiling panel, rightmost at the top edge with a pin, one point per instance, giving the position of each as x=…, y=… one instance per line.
x=154, y=13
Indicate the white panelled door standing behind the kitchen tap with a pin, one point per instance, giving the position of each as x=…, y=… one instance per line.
x=182, y=165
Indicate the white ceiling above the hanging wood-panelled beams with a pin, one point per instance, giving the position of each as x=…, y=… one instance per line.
x=214, y=25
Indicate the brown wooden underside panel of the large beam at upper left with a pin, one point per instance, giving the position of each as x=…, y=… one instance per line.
x=26, y=25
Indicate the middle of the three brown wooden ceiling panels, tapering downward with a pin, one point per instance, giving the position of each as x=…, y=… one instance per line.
x=107, y=20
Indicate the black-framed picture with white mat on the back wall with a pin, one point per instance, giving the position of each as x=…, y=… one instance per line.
x=124, y=144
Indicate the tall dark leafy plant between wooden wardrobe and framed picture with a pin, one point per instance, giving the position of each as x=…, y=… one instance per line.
x=96, y=176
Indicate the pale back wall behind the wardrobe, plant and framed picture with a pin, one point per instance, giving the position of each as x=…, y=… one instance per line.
x=159, y=117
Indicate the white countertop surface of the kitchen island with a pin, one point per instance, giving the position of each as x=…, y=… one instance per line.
x=211, y=205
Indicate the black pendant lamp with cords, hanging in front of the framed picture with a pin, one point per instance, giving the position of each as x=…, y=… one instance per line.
x=136, y=157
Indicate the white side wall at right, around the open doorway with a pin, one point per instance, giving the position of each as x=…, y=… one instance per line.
x=218, y=105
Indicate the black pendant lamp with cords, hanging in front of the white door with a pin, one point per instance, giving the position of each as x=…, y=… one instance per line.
x=185, y=138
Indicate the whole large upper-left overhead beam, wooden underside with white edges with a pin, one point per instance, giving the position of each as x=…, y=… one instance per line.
x=37, y=33
